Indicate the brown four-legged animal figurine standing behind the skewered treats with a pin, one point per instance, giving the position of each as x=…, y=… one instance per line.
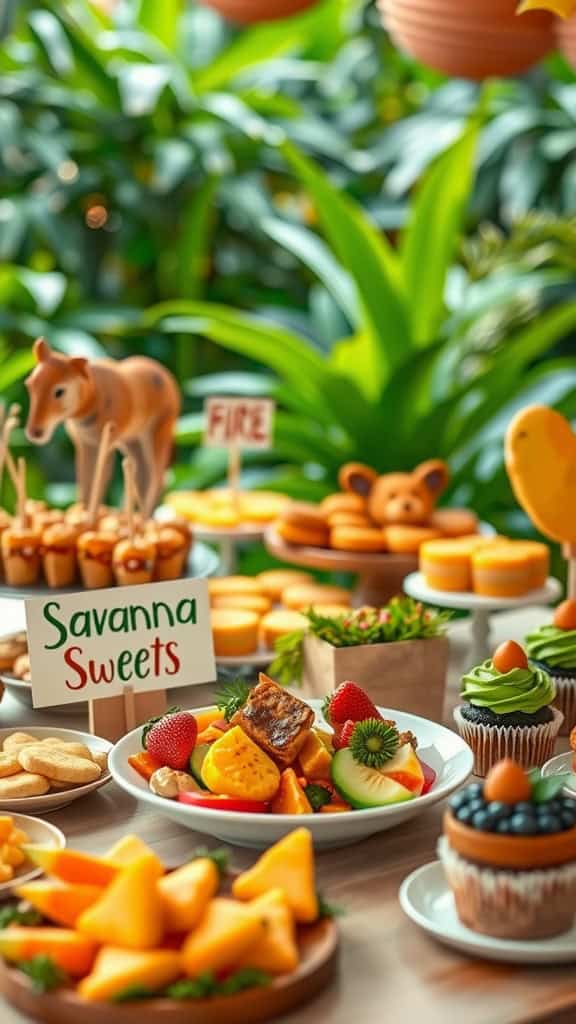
x=139, y=397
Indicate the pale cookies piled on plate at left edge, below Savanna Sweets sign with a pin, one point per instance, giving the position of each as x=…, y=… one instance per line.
x=32, y=767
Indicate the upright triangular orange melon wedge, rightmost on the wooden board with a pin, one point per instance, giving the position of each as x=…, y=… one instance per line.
x=287, y=866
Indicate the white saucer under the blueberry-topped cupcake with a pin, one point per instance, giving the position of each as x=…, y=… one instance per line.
x=427, y=899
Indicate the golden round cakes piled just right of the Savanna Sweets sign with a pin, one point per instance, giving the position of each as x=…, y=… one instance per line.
x=252, y=613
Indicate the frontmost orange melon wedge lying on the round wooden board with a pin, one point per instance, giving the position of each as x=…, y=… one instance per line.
x=116, y=970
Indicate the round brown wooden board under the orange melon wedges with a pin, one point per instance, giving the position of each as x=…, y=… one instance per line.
x=319, y=950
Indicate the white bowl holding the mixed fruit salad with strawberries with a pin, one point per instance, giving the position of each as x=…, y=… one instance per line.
x=442, y=750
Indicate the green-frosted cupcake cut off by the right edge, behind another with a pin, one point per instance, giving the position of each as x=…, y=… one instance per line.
x=553, y=649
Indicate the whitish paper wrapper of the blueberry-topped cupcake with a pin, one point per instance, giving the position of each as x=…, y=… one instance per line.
x=511, y=905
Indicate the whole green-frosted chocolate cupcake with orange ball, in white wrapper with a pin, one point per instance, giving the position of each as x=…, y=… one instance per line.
x=507, y=711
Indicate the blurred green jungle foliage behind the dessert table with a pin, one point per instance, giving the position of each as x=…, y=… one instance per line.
x=296, y=209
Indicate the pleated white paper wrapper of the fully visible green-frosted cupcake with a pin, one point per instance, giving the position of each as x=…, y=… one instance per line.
x=531, y=746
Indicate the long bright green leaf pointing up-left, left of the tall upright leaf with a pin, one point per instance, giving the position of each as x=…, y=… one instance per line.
x=386, y=340
